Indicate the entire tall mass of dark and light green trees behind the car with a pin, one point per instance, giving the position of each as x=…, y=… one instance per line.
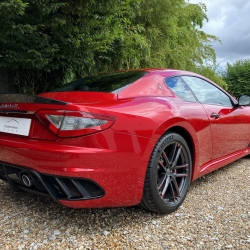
x=48, y=41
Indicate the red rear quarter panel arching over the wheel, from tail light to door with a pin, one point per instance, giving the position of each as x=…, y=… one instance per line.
x=151, y=117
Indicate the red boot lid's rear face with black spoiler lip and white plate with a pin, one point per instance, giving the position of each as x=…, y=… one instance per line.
x=18, y=116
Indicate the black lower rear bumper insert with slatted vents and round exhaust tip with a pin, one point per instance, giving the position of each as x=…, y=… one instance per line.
x=56, y=187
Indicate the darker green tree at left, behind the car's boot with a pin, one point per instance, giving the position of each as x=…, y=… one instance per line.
x=44, y=40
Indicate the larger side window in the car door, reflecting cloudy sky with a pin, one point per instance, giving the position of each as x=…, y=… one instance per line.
x=206, y=92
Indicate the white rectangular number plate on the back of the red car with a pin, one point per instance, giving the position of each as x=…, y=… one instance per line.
x=14, y=125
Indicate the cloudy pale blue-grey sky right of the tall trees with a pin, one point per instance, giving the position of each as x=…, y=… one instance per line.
x=229, y=20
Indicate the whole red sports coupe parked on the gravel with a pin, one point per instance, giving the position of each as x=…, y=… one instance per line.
x=121, y=138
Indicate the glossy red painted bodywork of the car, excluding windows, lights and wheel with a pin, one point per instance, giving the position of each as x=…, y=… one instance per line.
x=117, y=157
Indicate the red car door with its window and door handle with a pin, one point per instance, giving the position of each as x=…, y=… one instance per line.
x=229, y=124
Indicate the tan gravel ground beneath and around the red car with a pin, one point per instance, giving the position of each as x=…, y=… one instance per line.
x=215, y=215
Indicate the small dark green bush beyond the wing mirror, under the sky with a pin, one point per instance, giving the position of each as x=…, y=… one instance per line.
x=237, y=76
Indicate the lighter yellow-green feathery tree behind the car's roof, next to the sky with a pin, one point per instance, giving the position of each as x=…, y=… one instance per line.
x=161, y=33
